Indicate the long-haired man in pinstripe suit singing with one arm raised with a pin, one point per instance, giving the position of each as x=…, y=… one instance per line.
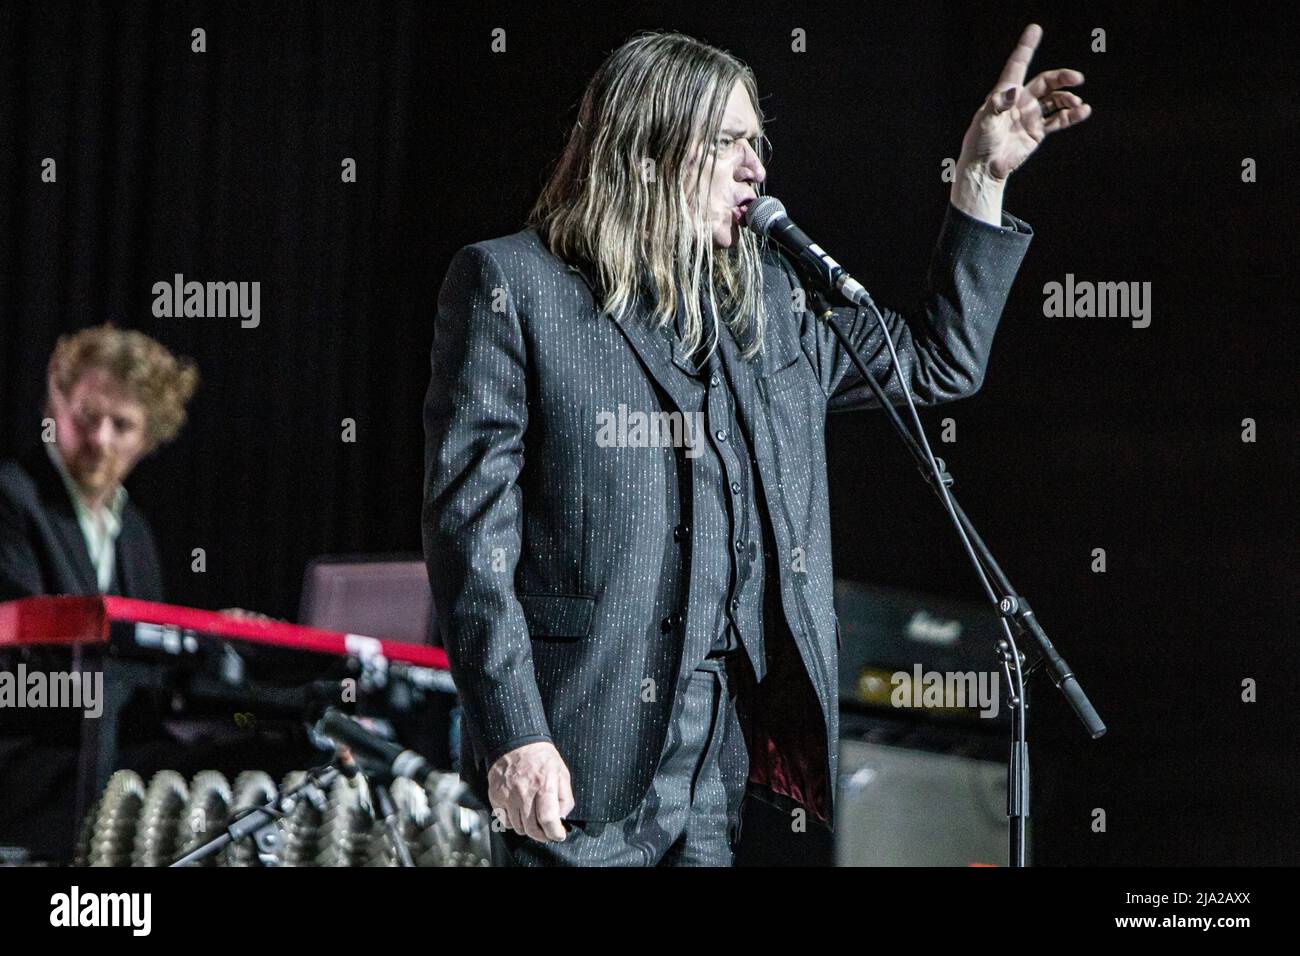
x=626, y=516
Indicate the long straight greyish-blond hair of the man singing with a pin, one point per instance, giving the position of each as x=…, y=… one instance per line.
x=618, y=198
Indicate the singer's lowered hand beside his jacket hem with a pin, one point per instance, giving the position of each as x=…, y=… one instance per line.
x=531, y=788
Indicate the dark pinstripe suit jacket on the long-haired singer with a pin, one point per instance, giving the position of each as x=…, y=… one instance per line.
x=554, y=564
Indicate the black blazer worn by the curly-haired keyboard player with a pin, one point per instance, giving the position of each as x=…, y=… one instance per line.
x=42, y=547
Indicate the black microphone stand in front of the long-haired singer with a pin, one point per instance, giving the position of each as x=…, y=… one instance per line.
x=1012, y=608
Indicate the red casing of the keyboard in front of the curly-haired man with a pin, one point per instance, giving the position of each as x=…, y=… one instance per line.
x=86, y=621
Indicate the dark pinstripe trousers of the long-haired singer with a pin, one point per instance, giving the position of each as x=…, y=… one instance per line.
x=694, y=811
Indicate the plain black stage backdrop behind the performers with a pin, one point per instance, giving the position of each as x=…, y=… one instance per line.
x=226, y=166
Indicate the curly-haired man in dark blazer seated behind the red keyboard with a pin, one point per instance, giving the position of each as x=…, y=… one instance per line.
x=68, y=527
